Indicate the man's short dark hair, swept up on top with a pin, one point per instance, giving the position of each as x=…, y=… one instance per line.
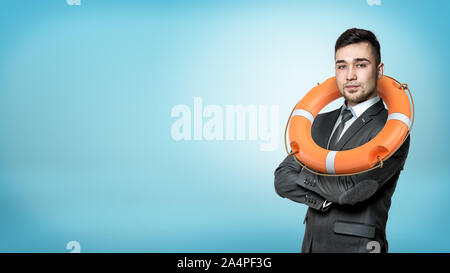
x=357, y=35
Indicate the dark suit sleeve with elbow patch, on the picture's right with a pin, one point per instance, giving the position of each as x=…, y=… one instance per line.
x=356, y=188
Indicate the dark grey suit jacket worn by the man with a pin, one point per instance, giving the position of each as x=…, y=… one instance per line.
x=361, y=202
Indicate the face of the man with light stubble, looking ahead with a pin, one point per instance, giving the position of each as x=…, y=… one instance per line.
x=357, y=73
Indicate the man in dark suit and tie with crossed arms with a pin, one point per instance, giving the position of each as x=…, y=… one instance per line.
x=347, y=213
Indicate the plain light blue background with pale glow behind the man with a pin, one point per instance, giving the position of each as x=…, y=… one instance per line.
x=86, y=94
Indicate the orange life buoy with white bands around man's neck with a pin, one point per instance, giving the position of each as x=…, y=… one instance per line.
x=358, y=159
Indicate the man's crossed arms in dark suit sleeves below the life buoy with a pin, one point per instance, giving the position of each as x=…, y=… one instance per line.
x=300, y=185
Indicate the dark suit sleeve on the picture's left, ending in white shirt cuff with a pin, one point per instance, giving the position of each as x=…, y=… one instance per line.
x=287, y=186
